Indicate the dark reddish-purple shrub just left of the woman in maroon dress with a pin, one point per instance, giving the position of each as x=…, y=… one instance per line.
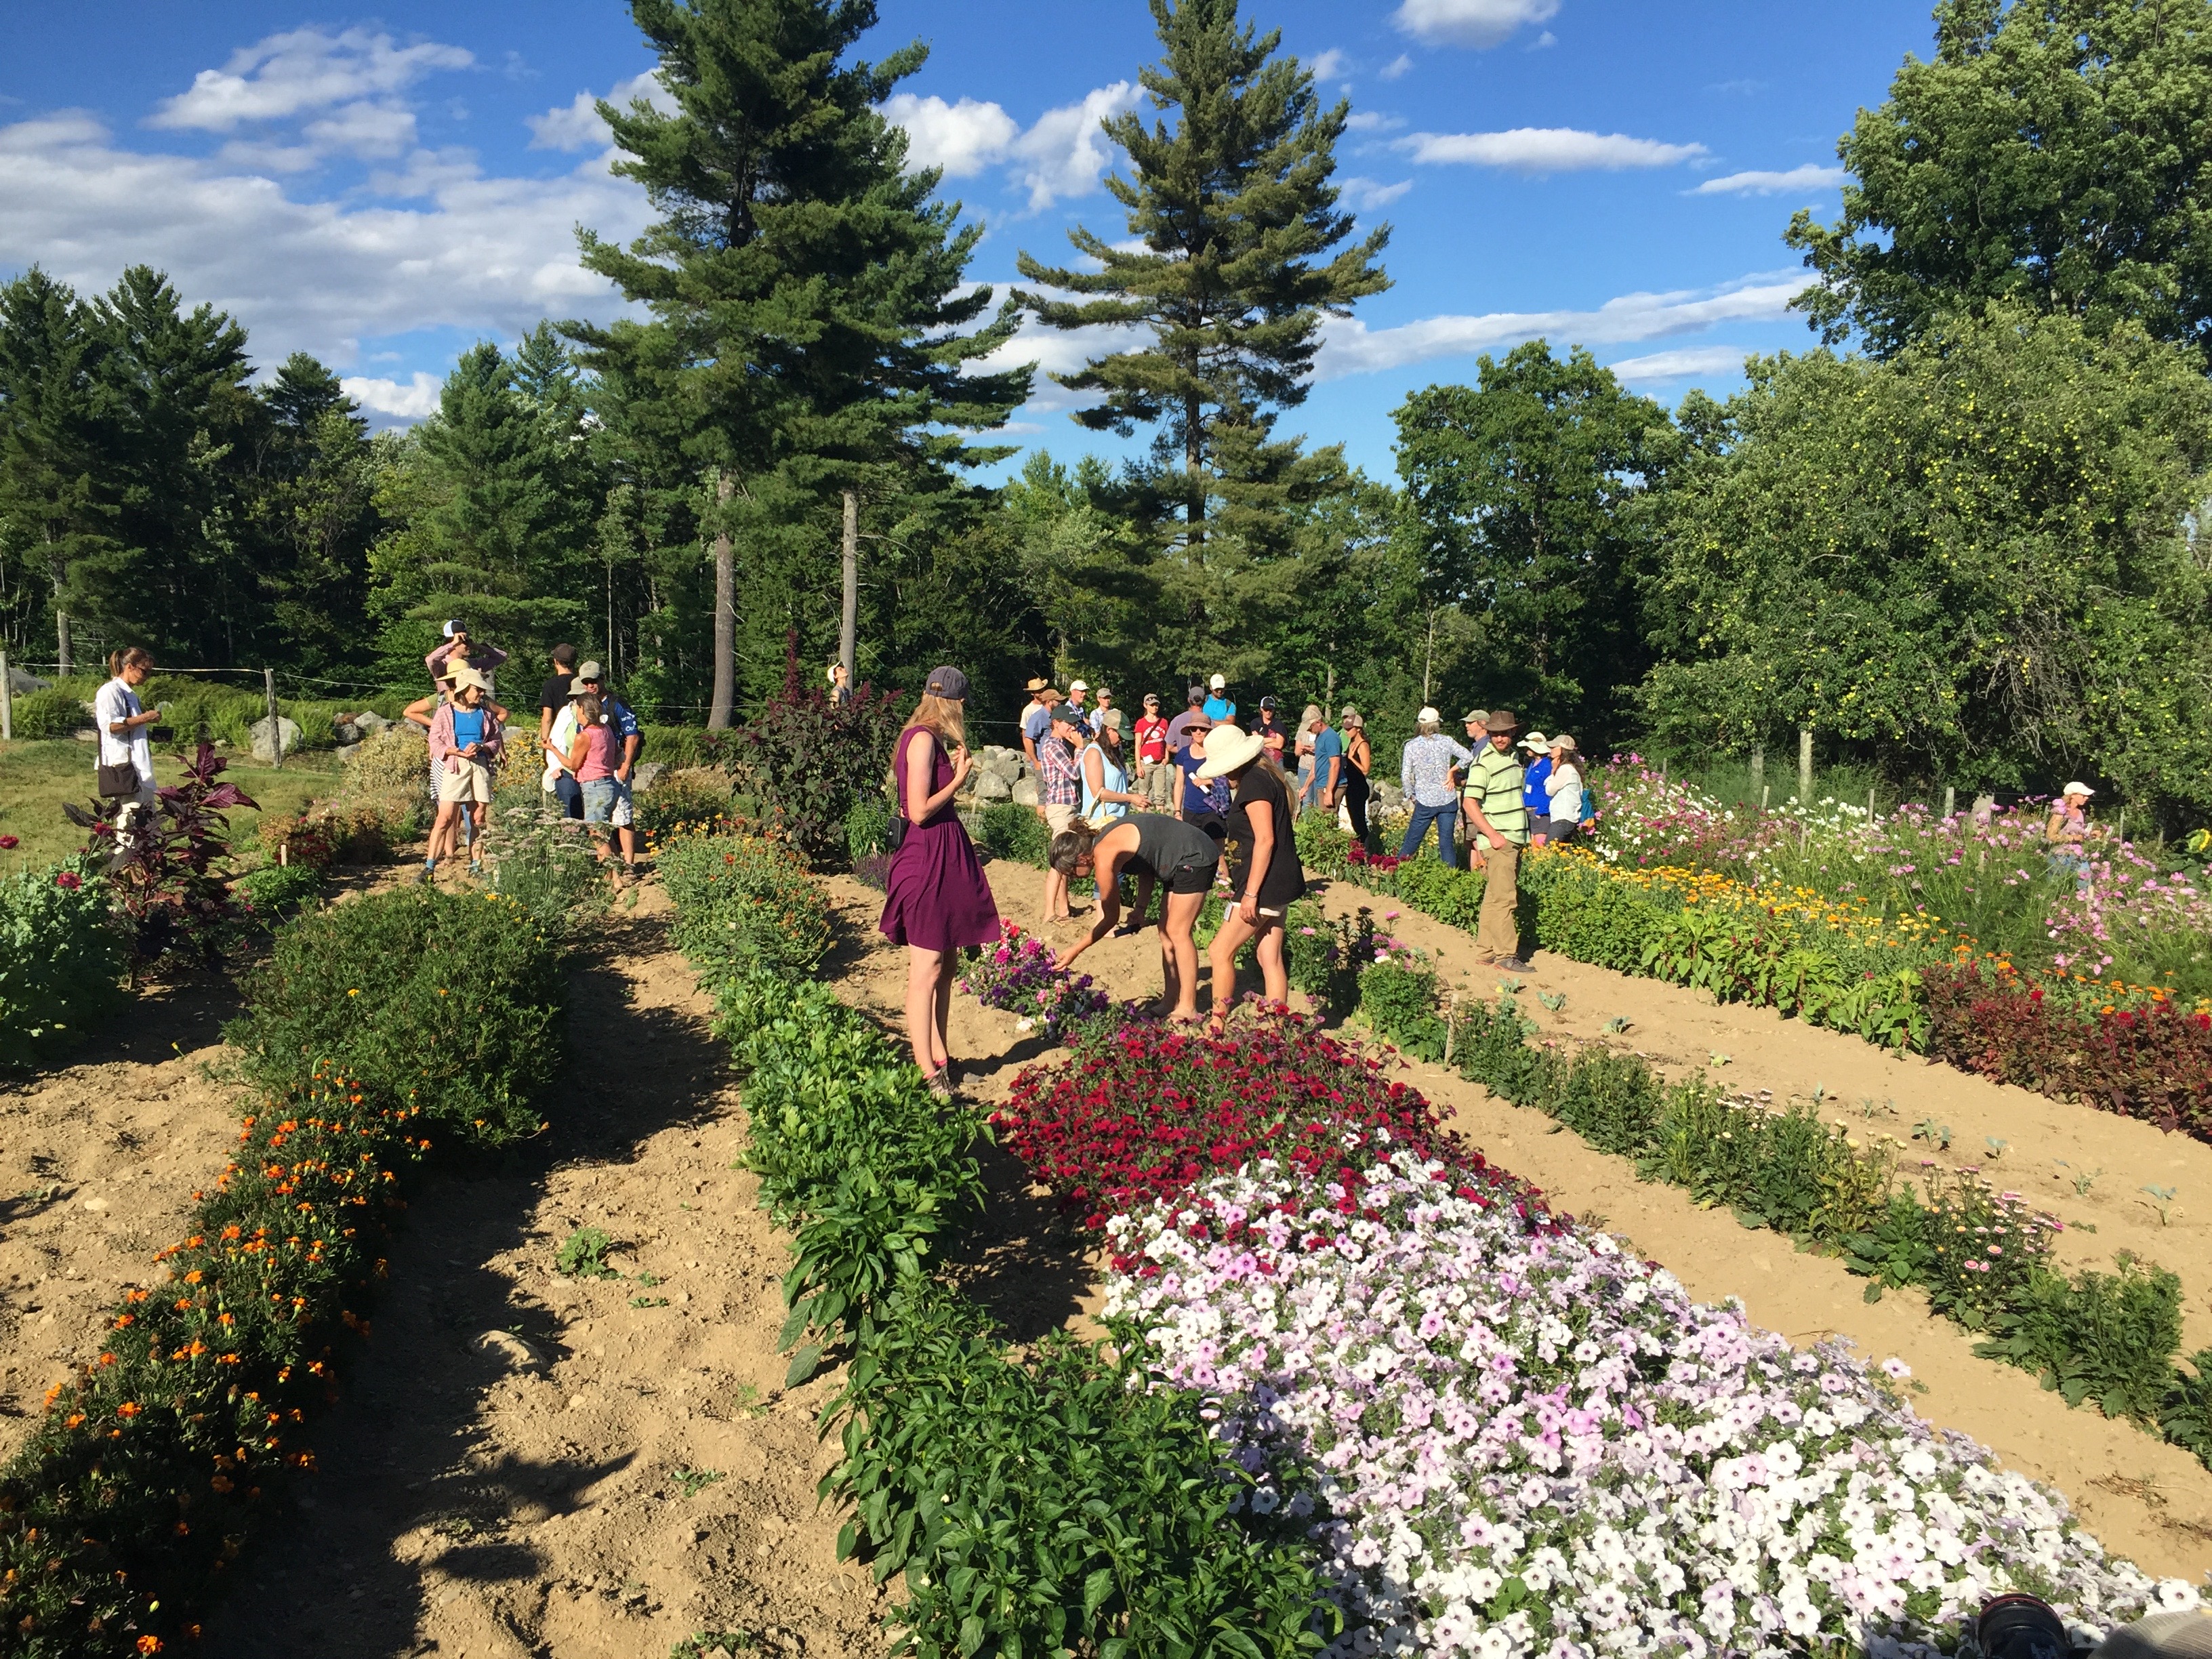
x=808, y=760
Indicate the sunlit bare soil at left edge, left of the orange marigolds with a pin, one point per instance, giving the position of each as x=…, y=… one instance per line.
x=98, y=1167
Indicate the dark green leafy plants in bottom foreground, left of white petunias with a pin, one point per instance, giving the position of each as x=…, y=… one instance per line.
x=1056, y=1505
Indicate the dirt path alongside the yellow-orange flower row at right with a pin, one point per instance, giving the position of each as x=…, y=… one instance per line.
x=2049, y=1147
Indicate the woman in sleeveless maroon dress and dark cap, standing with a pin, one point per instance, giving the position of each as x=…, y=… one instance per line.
x=939, y=899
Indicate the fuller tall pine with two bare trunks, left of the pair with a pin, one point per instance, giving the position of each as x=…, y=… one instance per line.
x=808, y=328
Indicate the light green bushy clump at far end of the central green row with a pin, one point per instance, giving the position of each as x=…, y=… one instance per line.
x=742, y=904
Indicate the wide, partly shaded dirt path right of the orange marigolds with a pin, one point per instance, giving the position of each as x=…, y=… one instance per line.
x=629, y=1472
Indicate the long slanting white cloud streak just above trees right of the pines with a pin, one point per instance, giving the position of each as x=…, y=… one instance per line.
x=1355, y=348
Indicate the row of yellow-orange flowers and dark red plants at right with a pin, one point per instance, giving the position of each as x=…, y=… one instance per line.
x=1903, y=985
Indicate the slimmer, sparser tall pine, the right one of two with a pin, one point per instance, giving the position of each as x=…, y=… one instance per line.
x=1238, y=222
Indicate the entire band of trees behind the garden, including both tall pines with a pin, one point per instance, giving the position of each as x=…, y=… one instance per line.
x=1961, y=541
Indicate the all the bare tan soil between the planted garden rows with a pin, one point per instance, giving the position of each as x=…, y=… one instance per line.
x=603, y=1468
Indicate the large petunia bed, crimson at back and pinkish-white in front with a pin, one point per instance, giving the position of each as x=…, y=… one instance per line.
x=1499, y=1432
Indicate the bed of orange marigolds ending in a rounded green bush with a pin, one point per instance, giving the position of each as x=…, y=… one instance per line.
x=379, y=1034
